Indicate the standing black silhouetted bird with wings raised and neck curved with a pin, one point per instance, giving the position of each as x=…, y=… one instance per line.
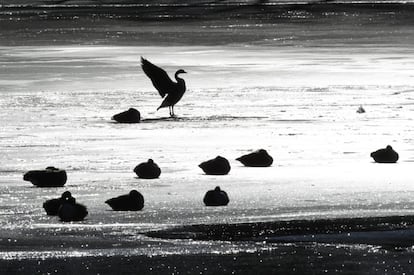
x=171, y=91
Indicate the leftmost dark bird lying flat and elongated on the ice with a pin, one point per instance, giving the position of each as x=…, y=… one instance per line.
x=50, y=177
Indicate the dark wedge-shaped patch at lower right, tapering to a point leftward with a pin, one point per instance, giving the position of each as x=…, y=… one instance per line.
x=398, y=230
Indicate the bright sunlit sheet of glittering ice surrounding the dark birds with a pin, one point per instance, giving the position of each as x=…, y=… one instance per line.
x=297, y=102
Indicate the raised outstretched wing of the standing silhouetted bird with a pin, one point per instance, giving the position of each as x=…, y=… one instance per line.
x=160, y=79
